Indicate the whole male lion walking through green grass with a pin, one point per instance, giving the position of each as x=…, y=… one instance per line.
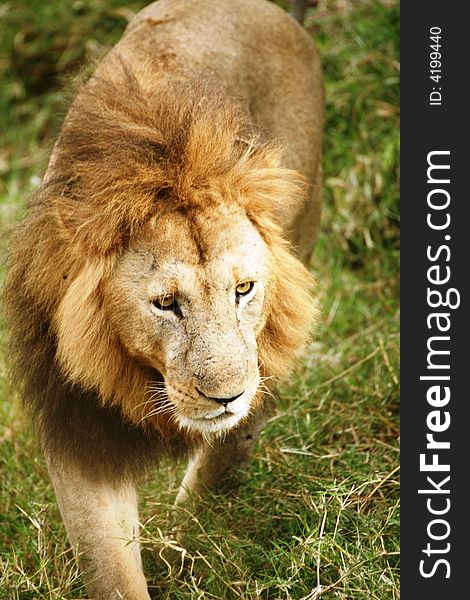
x=156, y=288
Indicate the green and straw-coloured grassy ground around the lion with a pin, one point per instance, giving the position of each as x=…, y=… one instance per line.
x=319, y=515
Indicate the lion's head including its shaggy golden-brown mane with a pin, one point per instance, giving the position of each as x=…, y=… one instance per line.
x=155, y=251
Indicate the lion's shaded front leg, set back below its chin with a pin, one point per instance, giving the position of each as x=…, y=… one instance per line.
x=218, y=465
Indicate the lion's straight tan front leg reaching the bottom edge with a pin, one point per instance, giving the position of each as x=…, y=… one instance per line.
x=101, y=520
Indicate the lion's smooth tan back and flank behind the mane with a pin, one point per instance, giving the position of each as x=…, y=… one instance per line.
x=265, y=58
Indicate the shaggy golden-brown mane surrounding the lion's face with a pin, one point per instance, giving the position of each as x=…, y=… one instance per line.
x=136, y=145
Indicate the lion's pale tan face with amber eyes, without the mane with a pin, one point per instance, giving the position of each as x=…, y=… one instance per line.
x=188, y=300
